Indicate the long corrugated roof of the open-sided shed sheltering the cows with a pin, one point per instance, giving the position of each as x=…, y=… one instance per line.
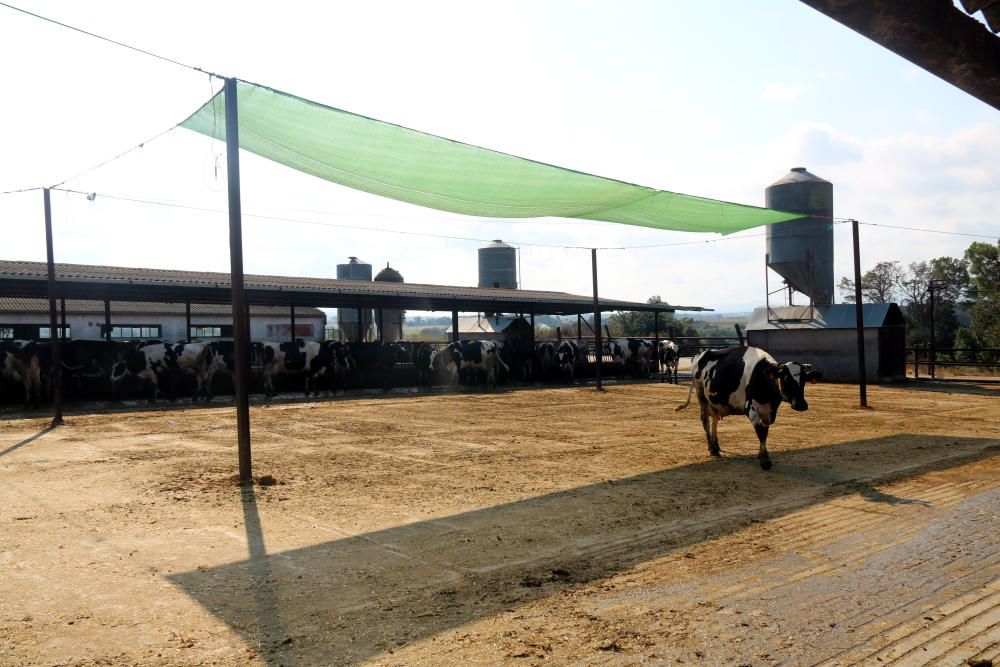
x=81, y=281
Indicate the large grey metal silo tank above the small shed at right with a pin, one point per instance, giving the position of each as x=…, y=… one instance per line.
x=801, y=251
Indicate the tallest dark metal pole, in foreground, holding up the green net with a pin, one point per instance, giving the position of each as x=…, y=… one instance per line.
x=240, y=319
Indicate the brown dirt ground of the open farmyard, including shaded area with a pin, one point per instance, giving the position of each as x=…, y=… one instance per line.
x=548, y=526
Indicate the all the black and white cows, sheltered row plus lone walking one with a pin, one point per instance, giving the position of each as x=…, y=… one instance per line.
x=730, y=381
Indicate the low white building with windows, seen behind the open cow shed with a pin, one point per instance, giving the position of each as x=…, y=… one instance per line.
x=85, y=320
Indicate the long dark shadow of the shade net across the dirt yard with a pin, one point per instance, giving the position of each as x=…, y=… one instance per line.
x=349, y=599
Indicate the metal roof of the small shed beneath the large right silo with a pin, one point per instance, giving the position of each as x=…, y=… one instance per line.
x=837, y=316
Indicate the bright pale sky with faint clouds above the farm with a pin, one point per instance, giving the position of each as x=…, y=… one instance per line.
x=711, y=99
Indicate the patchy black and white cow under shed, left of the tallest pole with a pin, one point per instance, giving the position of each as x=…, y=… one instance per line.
x=152, y=360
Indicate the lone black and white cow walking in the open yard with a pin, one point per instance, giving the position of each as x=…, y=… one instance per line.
x=746, y=380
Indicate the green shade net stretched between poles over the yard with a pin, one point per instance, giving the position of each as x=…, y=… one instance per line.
x=423, y=169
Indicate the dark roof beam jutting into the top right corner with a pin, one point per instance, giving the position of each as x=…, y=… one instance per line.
x=932, y=34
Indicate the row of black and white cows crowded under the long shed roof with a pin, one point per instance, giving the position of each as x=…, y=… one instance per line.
x=329, y=365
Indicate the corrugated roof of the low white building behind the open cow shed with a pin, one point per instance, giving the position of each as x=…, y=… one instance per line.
x=17, y=305
